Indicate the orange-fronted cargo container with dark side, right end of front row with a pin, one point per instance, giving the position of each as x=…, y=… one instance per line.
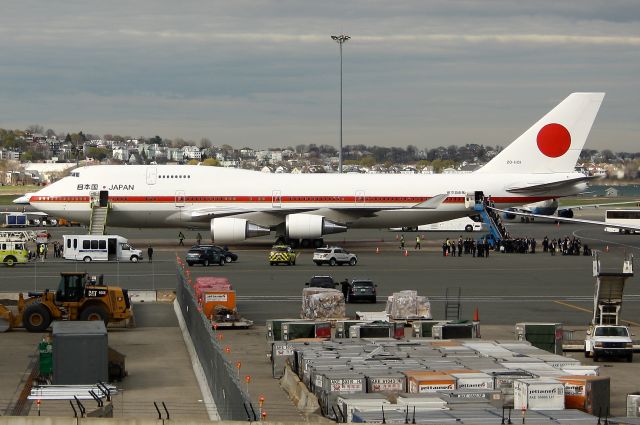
x=590, y=394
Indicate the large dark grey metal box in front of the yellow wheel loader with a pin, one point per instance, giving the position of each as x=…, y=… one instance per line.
x=80, y=353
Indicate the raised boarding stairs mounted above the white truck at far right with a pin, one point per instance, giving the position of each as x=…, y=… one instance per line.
x=608, y=292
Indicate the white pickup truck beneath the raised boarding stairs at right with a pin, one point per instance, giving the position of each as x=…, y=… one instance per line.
x=608, y=341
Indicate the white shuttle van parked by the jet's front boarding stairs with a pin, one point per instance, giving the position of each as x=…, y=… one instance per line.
x=89, y=248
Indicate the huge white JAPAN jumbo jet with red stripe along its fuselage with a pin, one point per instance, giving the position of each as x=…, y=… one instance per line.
x=238, y=204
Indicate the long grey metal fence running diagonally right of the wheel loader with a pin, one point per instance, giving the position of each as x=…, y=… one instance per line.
x=232, y=401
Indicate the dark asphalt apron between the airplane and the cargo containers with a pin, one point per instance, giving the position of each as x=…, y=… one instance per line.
x=506, y=288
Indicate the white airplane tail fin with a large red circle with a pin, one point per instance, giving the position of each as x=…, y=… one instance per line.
x=553, y=144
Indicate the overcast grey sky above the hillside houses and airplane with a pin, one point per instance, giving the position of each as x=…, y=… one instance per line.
x=266, y=73
